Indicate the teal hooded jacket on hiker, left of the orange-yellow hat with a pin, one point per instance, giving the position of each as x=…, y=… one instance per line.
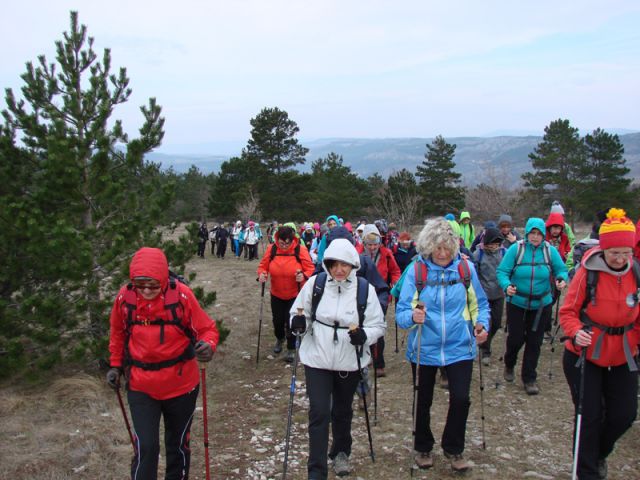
x=532, y=276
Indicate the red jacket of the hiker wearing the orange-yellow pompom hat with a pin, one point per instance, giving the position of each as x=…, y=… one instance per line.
x=610, y=310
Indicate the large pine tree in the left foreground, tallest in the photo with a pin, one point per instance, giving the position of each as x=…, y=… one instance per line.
x=77, y=199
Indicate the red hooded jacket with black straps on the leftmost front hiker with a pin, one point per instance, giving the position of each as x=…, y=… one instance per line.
x=144, y=341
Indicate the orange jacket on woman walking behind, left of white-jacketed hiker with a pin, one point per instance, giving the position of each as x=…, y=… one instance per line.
x=283, y=268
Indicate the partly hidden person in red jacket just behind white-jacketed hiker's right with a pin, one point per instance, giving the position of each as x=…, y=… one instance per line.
x=388, y=268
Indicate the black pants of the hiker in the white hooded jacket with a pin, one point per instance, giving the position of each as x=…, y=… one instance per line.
x=330, y=397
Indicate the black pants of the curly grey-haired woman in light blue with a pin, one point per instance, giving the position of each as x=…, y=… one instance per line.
x=453, y=436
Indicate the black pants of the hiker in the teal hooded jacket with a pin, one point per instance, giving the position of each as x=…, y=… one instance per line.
x=520, y=332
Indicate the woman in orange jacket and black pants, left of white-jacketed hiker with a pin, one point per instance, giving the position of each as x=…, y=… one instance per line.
x=289, y=264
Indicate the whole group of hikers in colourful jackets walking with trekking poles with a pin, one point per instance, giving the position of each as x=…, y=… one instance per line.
x=330, y=288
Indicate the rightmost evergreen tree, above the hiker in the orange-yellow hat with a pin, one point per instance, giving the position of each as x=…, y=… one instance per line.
x=605, y=179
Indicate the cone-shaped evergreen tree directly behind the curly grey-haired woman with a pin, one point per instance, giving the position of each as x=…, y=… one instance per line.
x=440, y=187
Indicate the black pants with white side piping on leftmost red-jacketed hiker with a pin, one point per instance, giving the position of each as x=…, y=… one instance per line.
x=145, y=415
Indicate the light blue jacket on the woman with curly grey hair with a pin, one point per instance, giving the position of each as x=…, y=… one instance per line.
x=447, y=333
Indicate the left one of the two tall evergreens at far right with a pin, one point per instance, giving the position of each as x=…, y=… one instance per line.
x=559, y=165
